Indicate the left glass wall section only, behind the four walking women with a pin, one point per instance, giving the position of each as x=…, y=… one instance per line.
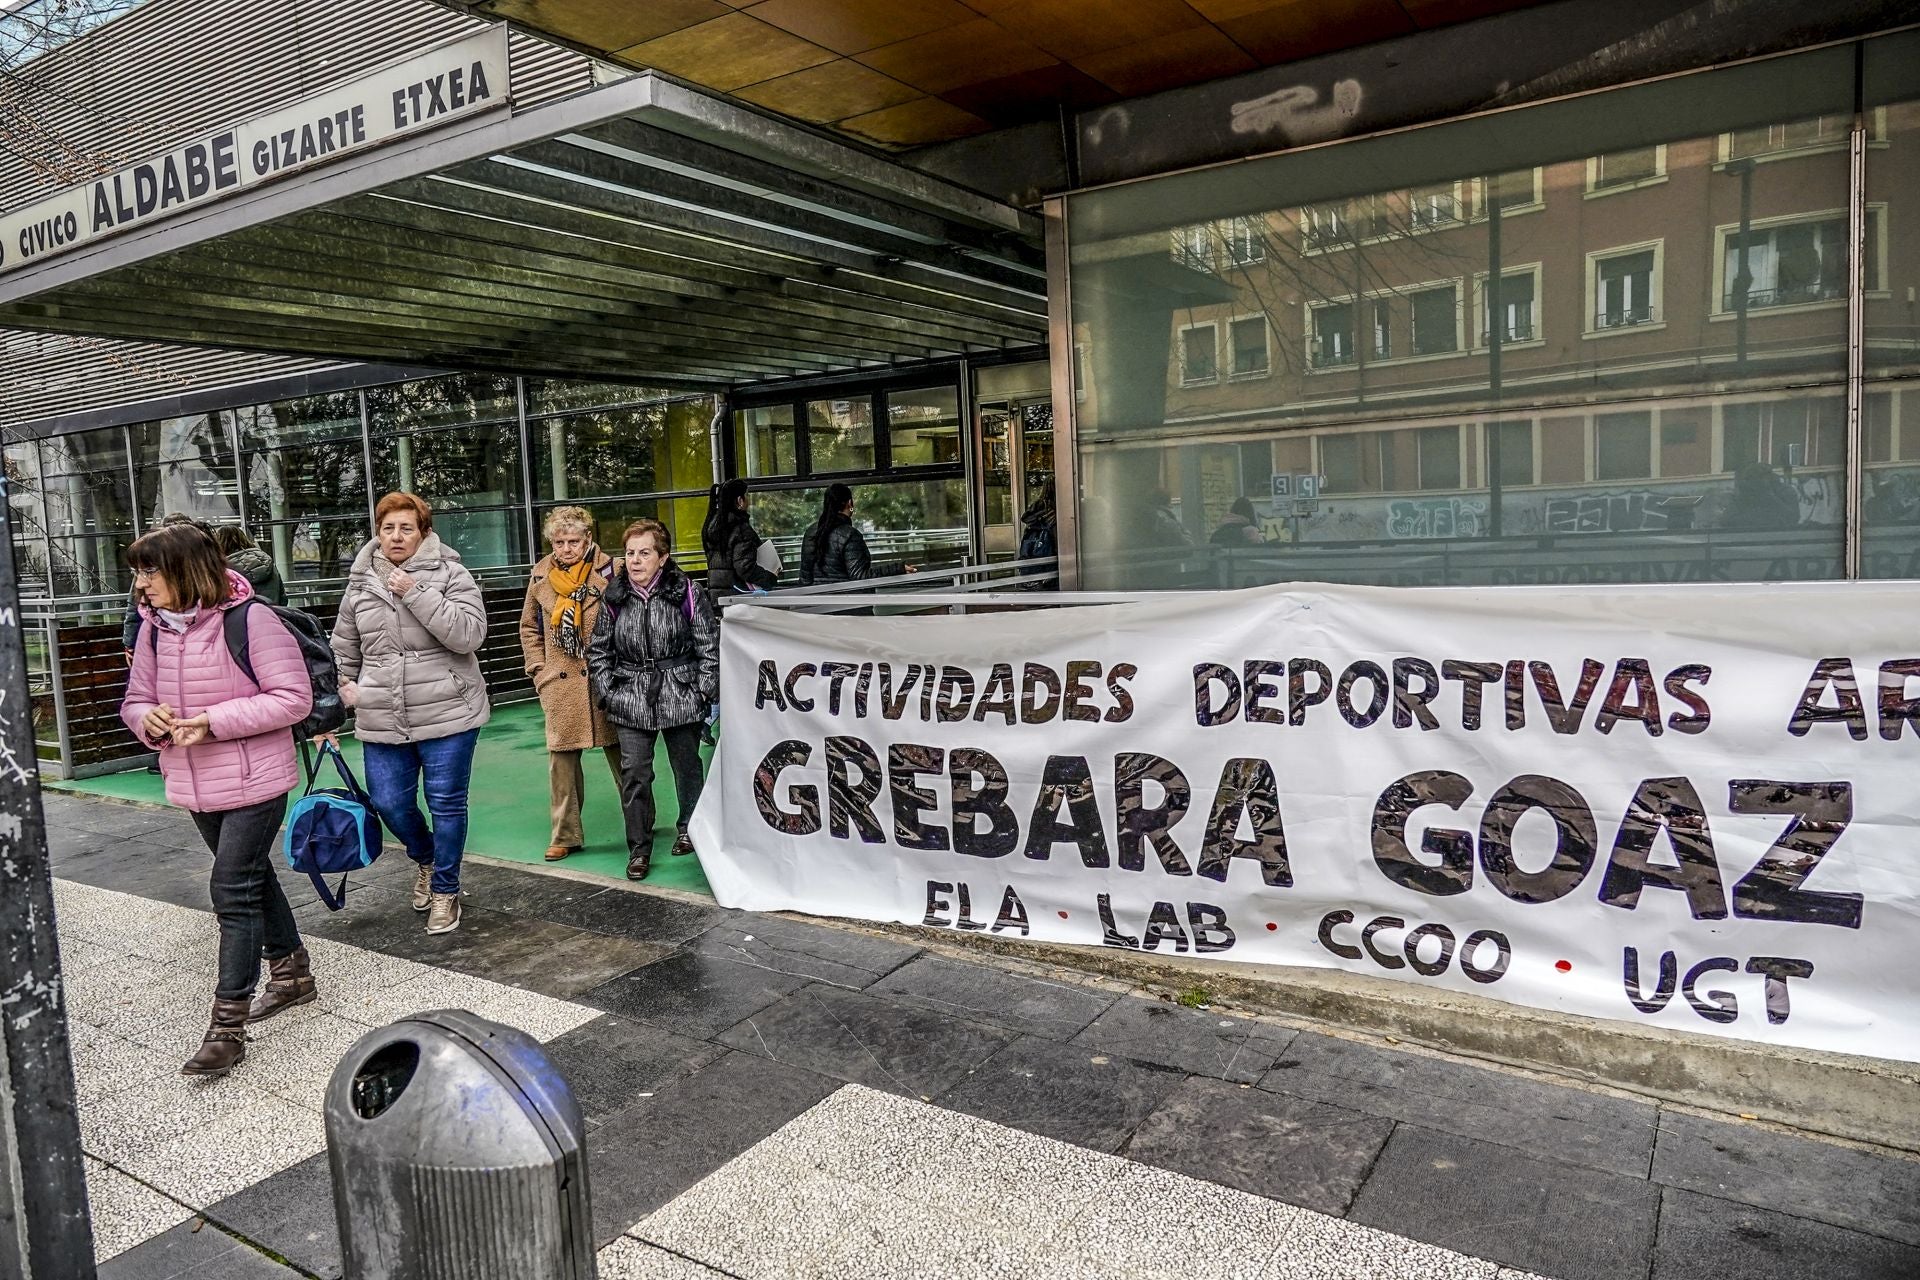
x=304, y=475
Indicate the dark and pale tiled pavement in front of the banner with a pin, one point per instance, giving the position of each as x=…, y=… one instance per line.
x=779, y=1099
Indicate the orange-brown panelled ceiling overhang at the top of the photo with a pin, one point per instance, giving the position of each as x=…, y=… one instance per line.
x=913, y=72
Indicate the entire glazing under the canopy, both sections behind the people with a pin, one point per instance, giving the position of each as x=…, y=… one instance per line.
x=494, y=456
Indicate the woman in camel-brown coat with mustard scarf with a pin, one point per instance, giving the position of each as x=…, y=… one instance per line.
x=556, y=627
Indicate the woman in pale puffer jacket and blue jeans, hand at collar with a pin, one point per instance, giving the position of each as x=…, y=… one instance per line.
x=410, y=628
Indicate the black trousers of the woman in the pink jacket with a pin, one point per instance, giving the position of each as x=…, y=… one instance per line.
x=247, y=895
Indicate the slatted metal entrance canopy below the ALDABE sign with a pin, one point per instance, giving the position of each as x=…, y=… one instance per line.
x=638, y=231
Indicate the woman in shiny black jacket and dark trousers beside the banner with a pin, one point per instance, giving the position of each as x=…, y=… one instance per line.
x=656, y=669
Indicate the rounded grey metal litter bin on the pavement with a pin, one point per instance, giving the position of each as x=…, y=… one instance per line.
x=458, y=1154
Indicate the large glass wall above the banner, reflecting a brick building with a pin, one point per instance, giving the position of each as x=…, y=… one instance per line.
x=1595, y=341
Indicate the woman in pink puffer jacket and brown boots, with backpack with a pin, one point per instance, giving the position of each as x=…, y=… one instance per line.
x=228, y=753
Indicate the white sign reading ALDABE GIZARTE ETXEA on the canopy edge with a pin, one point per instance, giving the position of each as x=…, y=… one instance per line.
x=425, y=91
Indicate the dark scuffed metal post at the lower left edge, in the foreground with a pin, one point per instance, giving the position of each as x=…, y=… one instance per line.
x=45, y=1231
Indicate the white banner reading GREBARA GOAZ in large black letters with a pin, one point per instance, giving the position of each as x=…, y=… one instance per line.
x=1691, y=809
